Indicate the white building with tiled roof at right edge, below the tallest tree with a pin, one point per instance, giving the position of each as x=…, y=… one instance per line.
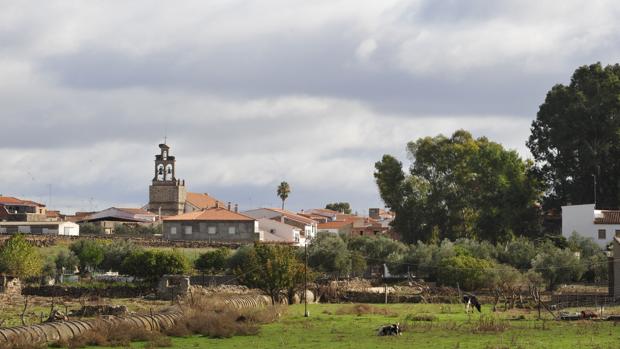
x=600, y=225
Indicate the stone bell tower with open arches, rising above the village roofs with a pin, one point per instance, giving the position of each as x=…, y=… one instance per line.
x=167, y=194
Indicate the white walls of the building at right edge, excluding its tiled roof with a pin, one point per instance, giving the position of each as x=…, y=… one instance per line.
x=580, y=219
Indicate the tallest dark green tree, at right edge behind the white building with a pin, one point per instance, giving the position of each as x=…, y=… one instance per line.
x=576, y=136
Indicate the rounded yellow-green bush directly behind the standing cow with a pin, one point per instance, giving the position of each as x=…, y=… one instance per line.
x=470, y=273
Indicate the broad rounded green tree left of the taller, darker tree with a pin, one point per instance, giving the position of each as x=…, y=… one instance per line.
x=460, y=187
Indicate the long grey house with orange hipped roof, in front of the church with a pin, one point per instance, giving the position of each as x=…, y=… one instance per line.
x=213, y=224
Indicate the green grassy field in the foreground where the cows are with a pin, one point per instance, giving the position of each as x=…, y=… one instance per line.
x=450, y=328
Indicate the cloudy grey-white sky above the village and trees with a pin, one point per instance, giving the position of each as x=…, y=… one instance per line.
x=252, y=93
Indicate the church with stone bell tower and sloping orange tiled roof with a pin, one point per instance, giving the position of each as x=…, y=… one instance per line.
x=168, y=195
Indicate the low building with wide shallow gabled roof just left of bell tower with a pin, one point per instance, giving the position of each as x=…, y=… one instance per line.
x=110, y=218
